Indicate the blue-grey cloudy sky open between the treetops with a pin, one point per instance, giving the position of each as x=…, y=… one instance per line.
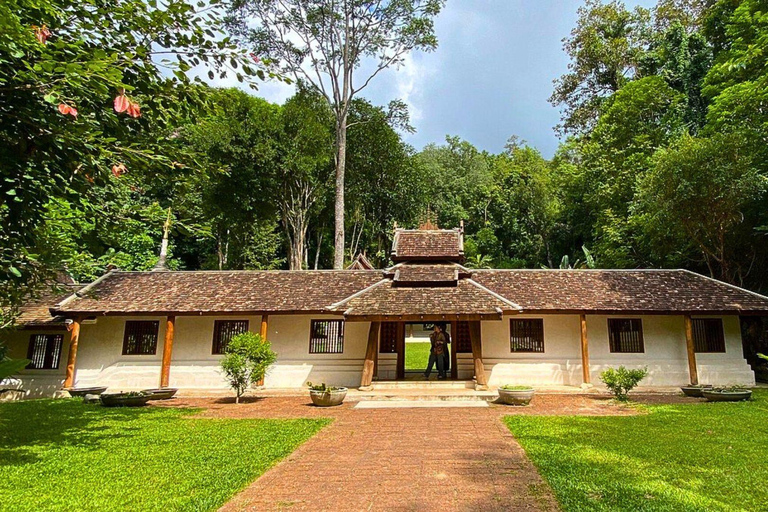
x=490, y=77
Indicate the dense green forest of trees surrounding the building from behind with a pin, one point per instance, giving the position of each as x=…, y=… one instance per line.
x=106, y=134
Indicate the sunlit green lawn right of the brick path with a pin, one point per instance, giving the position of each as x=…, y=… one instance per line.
x=702, y=456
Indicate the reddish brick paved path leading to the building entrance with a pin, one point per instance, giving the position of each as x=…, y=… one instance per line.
x=447, y=459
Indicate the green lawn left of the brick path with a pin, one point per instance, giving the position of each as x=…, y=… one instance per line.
x=64, y=455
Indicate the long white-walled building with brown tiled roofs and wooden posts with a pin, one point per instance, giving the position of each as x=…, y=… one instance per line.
x=132, y=330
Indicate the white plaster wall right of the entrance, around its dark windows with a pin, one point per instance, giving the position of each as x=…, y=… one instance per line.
x=560, y=363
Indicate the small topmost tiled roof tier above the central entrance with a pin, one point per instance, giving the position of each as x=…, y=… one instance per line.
x=422, y=244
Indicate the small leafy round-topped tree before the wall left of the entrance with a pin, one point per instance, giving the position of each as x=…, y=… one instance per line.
x=246, y=360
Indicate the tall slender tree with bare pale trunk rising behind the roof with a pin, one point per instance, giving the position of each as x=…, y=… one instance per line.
x=325, y=43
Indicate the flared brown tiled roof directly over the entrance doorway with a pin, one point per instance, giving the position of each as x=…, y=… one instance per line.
x=414, y=302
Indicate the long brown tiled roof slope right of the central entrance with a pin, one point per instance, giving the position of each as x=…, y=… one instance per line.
x=619, y=290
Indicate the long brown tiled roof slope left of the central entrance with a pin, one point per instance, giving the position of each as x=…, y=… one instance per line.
x=218, y=292
